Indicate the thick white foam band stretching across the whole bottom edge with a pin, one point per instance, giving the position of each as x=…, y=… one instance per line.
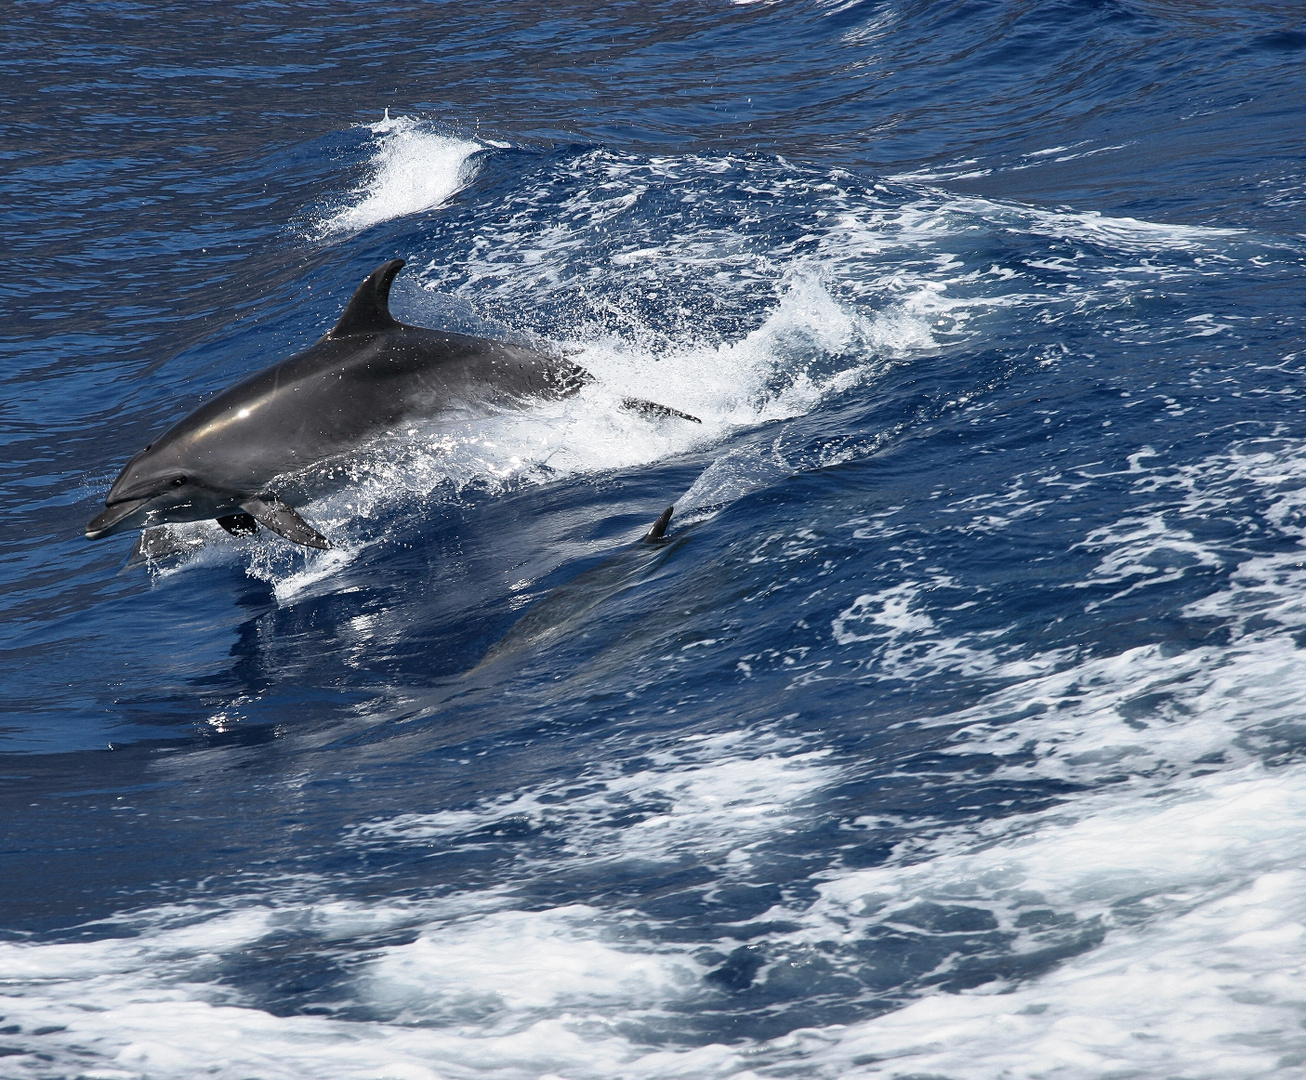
x=1197, y=890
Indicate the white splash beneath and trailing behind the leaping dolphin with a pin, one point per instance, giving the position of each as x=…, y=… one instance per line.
x=808, y=349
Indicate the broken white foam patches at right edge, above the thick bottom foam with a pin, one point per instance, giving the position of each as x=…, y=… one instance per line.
x=1147, y=714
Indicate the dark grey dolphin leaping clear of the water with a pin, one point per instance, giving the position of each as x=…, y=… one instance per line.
x=234, y=459
